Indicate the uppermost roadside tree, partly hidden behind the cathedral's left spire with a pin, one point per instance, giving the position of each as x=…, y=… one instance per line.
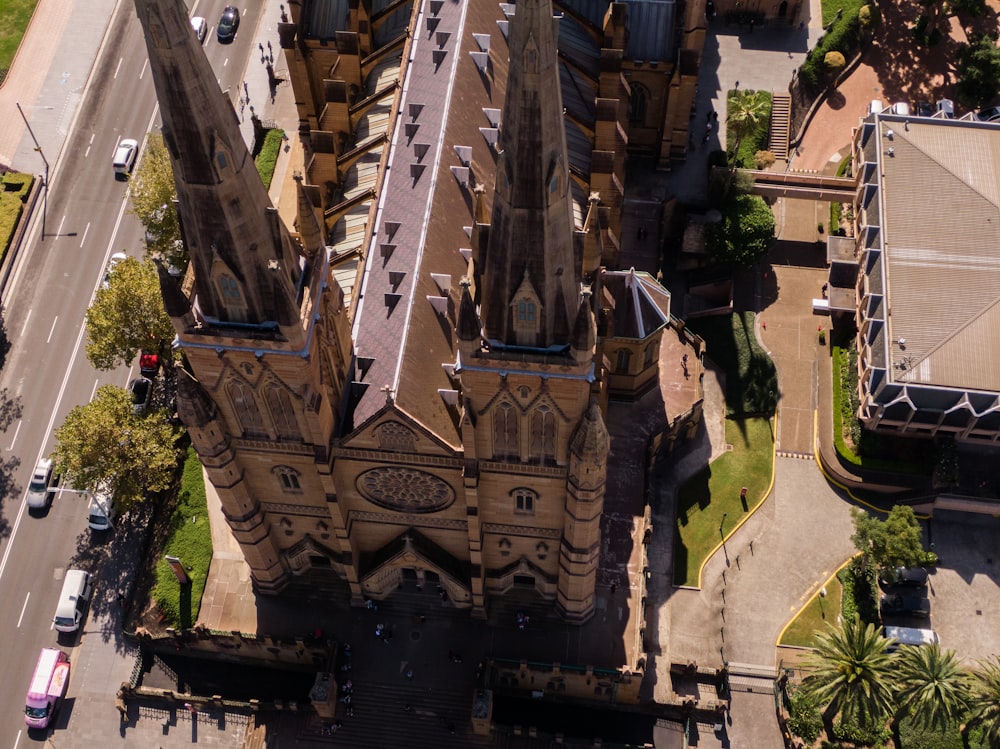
x=153, y=195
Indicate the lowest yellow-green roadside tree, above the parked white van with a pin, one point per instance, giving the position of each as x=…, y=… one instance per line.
x=105, y=445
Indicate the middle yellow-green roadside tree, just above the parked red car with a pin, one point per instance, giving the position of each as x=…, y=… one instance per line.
x=127, y=316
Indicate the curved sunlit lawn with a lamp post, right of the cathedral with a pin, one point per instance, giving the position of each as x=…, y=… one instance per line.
x=715, y=490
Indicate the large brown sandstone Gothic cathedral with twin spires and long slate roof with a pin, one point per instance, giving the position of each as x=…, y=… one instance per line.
x=410, y=385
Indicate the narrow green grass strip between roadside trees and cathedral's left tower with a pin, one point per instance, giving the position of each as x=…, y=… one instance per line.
x=190, y=539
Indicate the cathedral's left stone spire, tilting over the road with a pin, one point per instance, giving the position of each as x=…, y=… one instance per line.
x=246, y=267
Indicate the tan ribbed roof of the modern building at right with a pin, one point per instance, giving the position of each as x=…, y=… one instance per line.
x=941, y=239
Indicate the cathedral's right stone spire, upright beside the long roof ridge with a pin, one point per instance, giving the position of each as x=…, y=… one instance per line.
x=531, y=270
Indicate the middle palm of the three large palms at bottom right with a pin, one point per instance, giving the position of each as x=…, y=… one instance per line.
x=932, y=687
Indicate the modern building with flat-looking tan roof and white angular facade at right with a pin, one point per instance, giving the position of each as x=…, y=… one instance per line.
x=927, y=228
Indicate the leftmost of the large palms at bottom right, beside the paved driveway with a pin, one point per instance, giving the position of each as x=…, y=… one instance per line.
x=852, y=673
